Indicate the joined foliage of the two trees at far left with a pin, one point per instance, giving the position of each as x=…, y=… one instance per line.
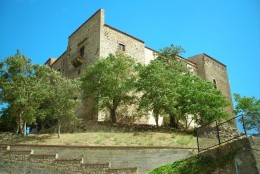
x=32, y=92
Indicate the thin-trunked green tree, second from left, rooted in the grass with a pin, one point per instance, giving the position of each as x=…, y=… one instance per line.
x=62, y=100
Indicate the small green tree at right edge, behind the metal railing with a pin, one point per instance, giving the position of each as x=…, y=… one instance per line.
x=250, y=108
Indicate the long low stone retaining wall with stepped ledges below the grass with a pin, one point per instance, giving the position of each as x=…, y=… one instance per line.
x=83, y=159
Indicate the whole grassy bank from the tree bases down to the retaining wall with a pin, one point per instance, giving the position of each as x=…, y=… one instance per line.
x=107, y=135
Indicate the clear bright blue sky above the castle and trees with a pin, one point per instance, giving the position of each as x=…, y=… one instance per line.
x=228, y=30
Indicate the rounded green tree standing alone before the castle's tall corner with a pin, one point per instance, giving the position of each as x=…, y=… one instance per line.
x=110, y=81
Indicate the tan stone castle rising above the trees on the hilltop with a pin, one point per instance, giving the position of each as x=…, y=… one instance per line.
x=95, y=39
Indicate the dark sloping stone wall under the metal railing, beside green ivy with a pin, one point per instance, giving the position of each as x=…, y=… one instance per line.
x=246, y=158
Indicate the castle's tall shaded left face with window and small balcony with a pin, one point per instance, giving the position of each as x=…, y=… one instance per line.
x=83, y=46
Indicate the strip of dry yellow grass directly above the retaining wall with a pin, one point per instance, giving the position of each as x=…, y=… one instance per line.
x=110, y=139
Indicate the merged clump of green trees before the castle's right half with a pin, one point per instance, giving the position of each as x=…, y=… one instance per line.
x=168, y=87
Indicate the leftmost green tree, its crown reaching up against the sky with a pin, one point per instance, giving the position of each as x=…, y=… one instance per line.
x=22, y=88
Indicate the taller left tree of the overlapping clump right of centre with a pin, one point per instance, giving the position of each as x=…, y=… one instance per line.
x=159, y=82
